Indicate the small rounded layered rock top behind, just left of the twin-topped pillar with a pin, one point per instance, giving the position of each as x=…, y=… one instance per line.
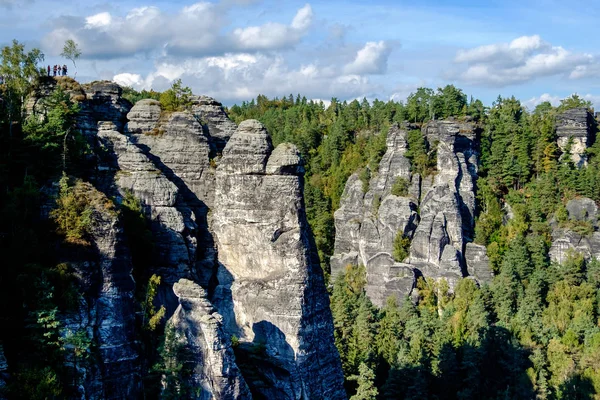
x=214, y=119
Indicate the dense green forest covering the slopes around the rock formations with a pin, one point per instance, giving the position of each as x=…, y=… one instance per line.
x=534, y=332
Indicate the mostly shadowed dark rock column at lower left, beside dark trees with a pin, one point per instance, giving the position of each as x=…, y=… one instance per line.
x=105, y=314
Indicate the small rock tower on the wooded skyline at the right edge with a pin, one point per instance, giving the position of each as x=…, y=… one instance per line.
x=577, y=125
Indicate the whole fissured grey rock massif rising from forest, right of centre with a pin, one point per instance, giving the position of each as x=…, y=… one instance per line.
x=367, y=223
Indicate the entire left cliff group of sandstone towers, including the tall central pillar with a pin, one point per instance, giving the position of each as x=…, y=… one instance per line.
x=266, y=283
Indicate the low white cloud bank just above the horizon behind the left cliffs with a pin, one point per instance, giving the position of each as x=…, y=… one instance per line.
x=239, y=76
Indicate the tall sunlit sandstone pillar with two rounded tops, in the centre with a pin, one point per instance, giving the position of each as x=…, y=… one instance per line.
x=271, y=288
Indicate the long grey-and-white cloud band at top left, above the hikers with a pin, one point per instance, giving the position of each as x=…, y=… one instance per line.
x=195, y=30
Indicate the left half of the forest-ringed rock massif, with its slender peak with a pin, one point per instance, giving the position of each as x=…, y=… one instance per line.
x=367, y=223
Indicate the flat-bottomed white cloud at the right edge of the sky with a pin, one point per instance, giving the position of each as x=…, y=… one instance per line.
x=523, y=59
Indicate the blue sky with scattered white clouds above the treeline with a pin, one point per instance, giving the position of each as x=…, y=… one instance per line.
x=233, y=50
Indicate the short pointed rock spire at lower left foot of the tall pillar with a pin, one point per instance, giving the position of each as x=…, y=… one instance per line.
x=199, y=329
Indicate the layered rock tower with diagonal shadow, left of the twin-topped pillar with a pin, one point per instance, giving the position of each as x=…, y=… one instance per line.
x=179, y=147
